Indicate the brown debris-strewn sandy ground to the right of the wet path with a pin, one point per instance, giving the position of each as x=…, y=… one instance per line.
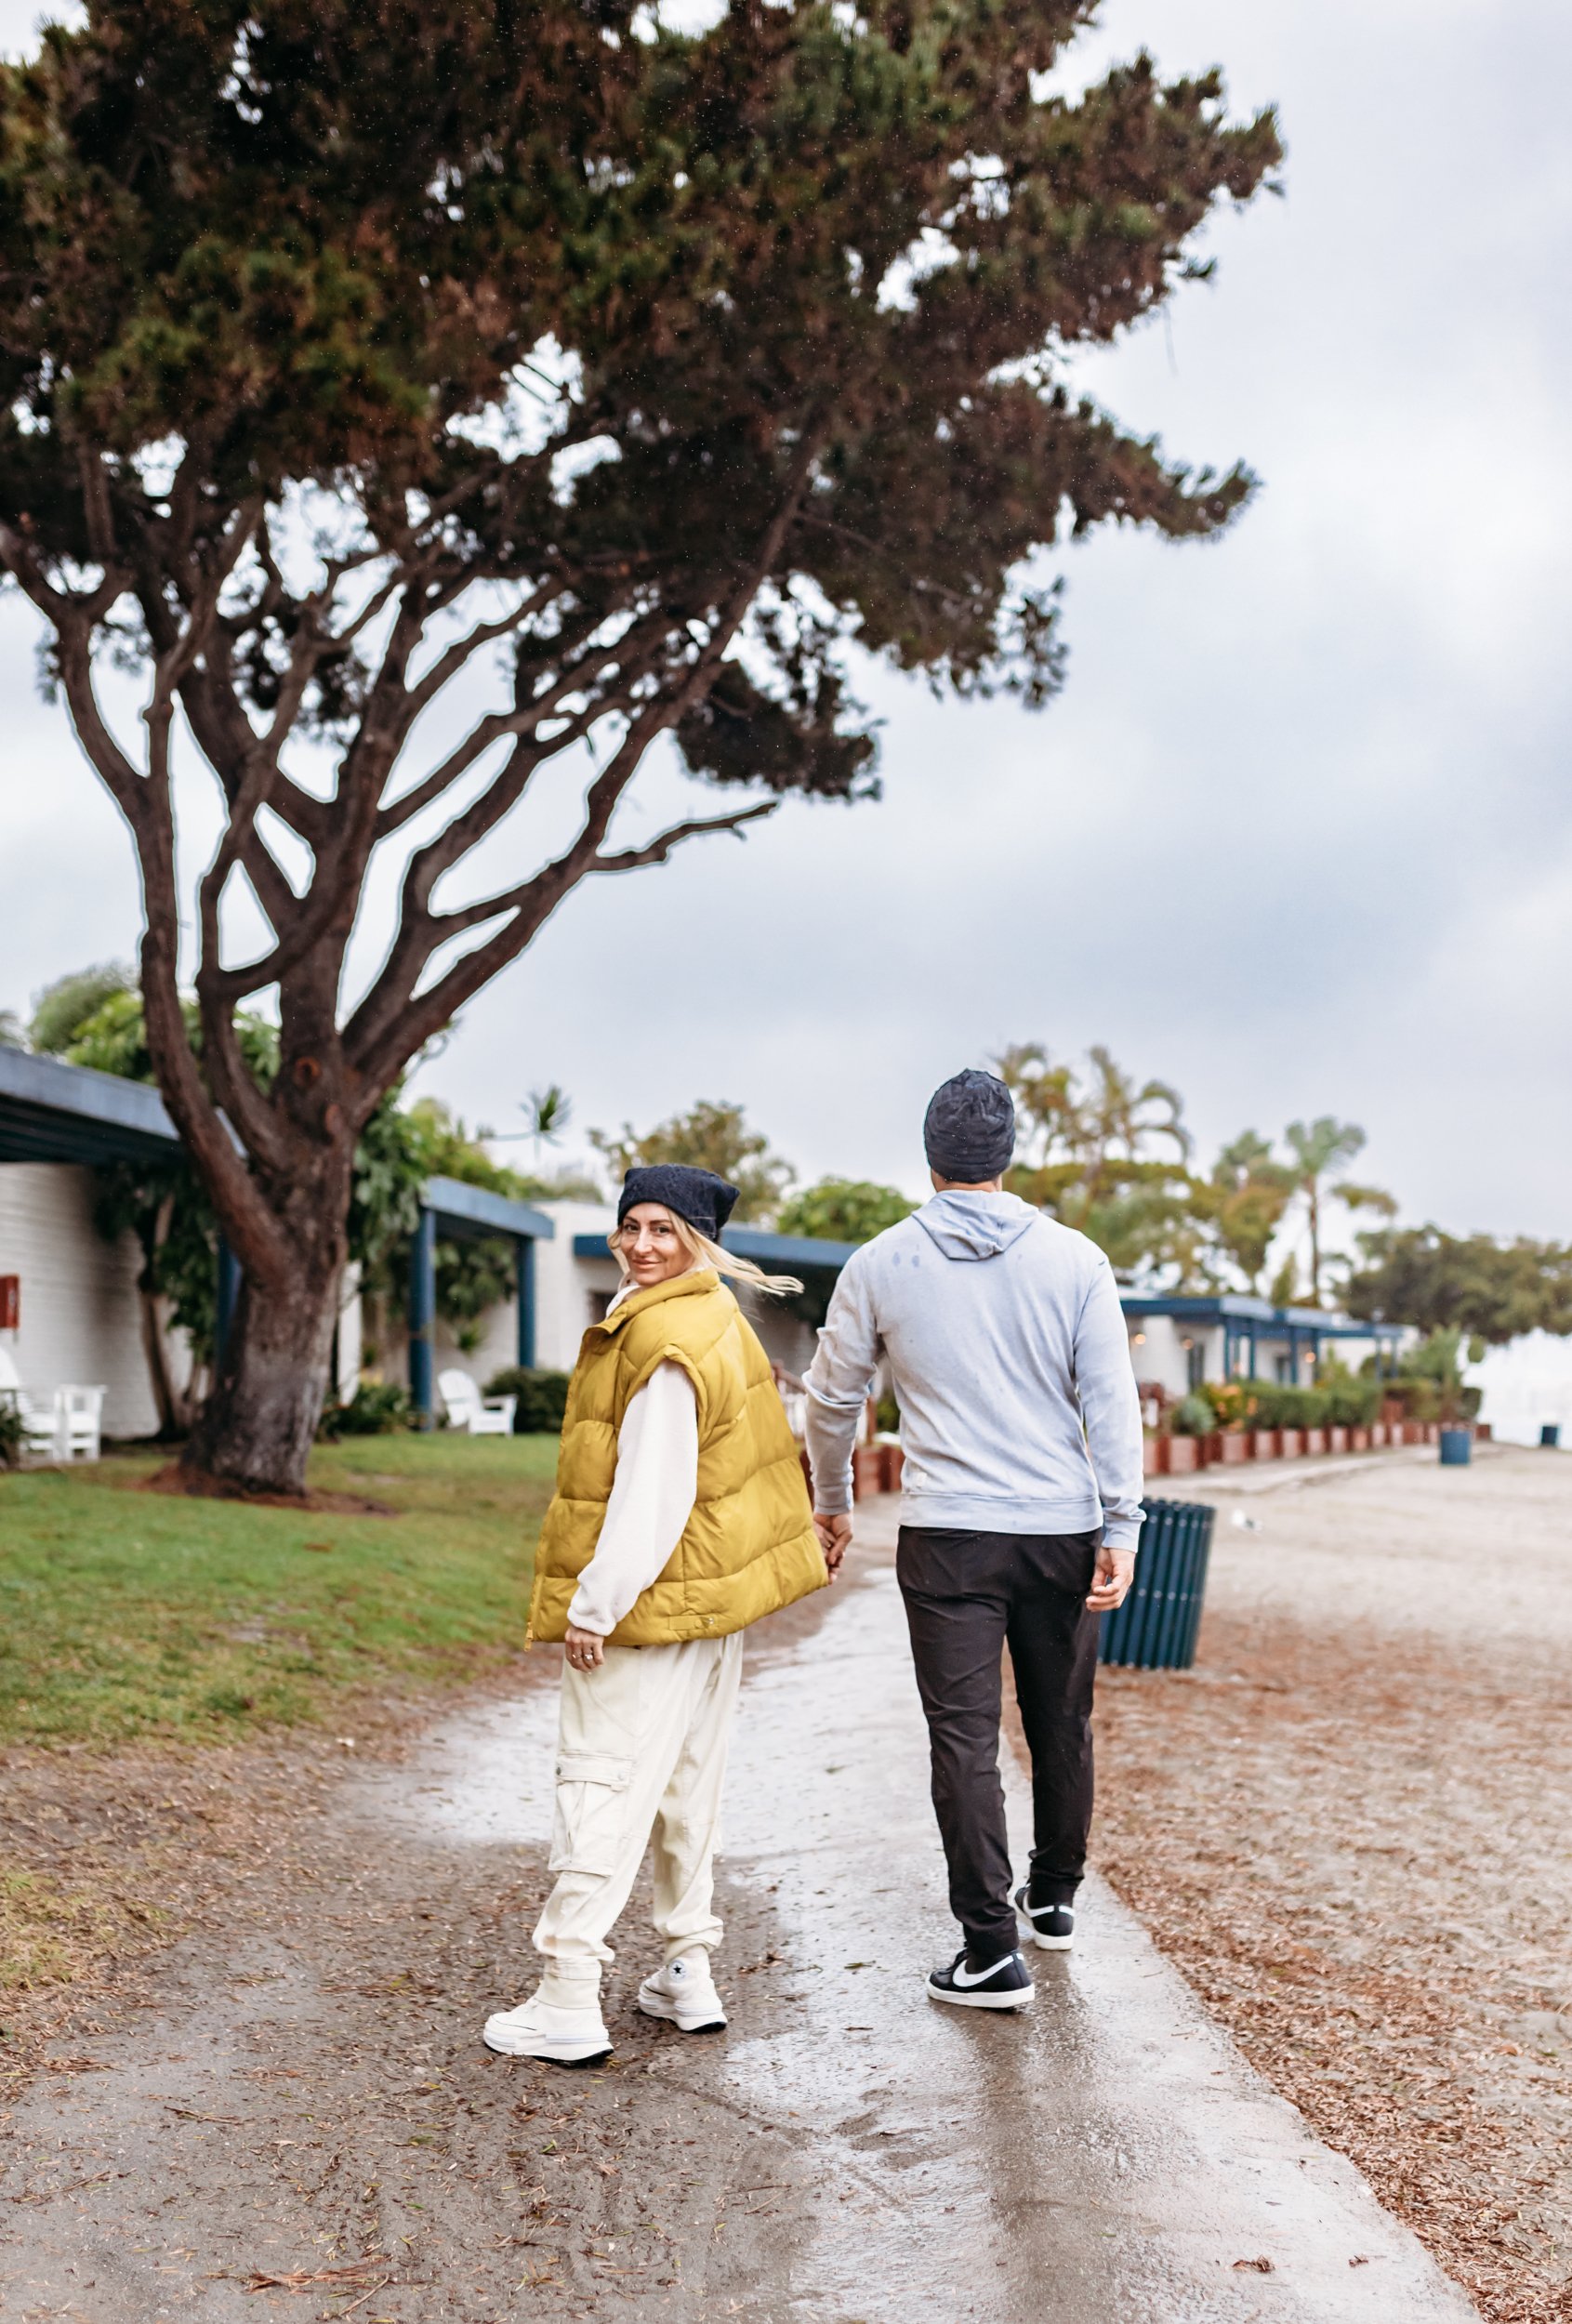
x=1352, y=1828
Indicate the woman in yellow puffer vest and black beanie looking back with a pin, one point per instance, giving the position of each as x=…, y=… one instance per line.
x=680, y=1516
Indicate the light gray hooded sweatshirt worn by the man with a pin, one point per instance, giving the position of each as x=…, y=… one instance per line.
x=1010, y=1363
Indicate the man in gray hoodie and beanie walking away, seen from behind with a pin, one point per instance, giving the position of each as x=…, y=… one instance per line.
x=1020, y=1512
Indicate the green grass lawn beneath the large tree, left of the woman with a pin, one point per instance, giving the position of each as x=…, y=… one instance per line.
x=141, y=1614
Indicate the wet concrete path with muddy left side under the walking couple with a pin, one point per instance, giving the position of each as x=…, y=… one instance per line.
x=310, y=2097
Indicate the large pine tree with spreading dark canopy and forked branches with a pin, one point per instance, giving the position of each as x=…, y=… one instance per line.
x=362, y=350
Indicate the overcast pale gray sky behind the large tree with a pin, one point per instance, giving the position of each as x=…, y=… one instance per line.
x=1299, y=833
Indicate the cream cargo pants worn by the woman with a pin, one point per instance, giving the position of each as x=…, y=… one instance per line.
x=641, y=1763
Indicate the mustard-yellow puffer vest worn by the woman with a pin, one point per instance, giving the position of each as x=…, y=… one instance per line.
x=750, y=1544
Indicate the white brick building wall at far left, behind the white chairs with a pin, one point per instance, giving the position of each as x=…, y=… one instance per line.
x=80, y=1312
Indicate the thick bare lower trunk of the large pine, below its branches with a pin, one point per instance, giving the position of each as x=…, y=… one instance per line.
x=259, y=1423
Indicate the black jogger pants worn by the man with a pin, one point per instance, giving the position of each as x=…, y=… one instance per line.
x=971, y=1595
